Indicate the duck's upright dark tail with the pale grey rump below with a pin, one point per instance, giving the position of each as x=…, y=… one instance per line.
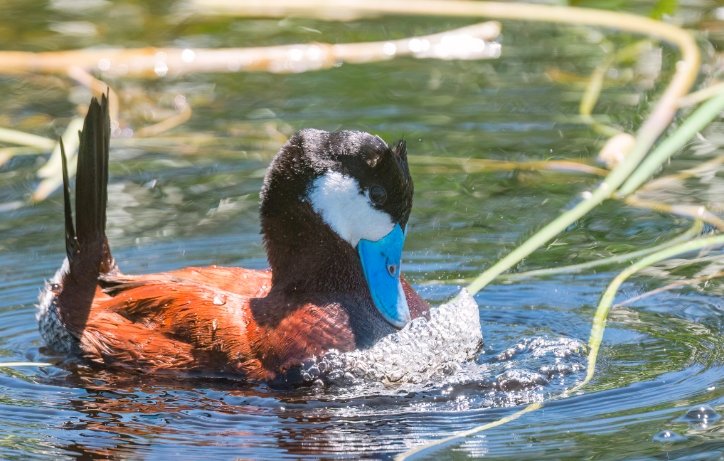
x=66, y=302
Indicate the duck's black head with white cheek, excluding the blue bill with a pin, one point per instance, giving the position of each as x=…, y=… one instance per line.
x=325, y=191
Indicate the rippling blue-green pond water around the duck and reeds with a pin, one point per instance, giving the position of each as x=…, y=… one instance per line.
x=189, y=196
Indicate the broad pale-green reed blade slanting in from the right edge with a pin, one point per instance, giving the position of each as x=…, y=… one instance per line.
x=694, y=123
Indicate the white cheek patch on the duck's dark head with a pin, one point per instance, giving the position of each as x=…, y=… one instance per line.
x=337, y=199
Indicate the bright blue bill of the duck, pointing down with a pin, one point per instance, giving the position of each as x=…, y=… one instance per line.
x=381, y=267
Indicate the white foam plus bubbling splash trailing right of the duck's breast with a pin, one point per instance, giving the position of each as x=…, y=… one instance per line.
x=442, y=354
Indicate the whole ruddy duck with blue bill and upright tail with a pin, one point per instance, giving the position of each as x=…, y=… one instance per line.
x=334, y=211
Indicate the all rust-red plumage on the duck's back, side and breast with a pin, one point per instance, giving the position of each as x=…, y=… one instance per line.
x=201, y=319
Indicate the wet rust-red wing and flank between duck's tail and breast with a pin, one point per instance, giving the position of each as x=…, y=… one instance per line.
x=160, y=321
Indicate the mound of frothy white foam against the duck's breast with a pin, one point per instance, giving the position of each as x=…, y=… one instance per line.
x=423, y=351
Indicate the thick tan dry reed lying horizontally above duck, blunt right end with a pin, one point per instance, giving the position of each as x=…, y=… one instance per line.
x=162, y=62
